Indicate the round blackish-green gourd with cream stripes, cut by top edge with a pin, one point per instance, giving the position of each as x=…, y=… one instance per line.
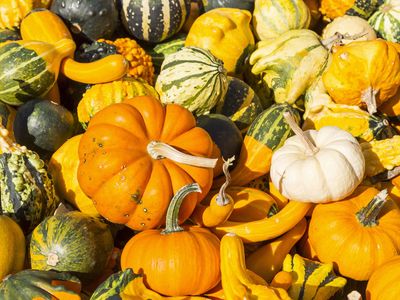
x=154, y=20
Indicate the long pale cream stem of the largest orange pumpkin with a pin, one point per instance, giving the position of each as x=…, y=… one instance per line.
x=160, y=150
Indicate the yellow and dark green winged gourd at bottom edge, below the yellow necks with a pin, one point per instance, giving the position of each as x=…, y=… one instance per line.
x=312, y=279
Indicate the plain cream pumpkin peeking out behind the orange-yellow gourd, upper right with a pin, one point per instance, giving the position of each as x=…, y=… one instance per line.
x=350, y=26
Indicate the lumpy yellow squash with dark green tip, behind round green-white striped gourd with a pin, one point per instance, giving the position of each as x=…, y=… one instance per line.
x=226, y=33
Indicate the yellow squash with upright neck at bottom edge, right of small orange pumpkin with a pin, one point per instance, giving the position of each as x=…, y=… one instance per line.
x=236, y=282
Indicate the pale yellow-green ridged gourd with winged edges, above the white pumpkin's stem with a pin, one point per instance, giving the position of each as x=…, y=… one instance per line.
x=290, y=63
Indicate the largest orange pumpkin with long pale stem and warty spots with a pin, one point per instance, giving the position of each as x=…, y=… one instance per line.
x=130, y=166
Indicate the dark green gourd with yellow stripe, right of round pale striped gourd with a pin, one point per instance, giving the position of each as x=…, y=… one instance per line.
x=240, y=104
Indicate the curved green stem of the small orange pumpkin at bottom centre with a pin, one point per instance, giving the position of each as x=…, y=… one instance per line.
x=171, y=223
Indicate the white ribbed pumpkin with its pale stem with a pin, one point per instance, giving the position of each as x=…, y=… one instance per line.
x=317, y=166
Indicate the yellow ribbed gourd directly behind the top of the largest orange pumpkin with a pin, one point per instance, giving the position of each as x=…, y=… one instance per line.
x=102, y=95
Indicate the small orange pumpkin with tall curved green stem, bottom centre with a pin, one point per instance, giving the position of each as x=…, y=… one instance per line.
x=186, y=258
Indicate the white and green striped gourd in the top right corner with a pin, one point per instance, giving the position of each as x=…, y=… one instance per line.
x=386, y=20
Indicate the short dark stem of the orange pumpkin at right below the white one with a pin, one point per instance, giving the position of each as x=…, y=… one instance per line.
x=368, y=215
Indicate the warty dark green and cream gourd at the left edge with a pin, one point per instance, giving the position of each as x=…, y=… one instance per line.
x=26, y=190
